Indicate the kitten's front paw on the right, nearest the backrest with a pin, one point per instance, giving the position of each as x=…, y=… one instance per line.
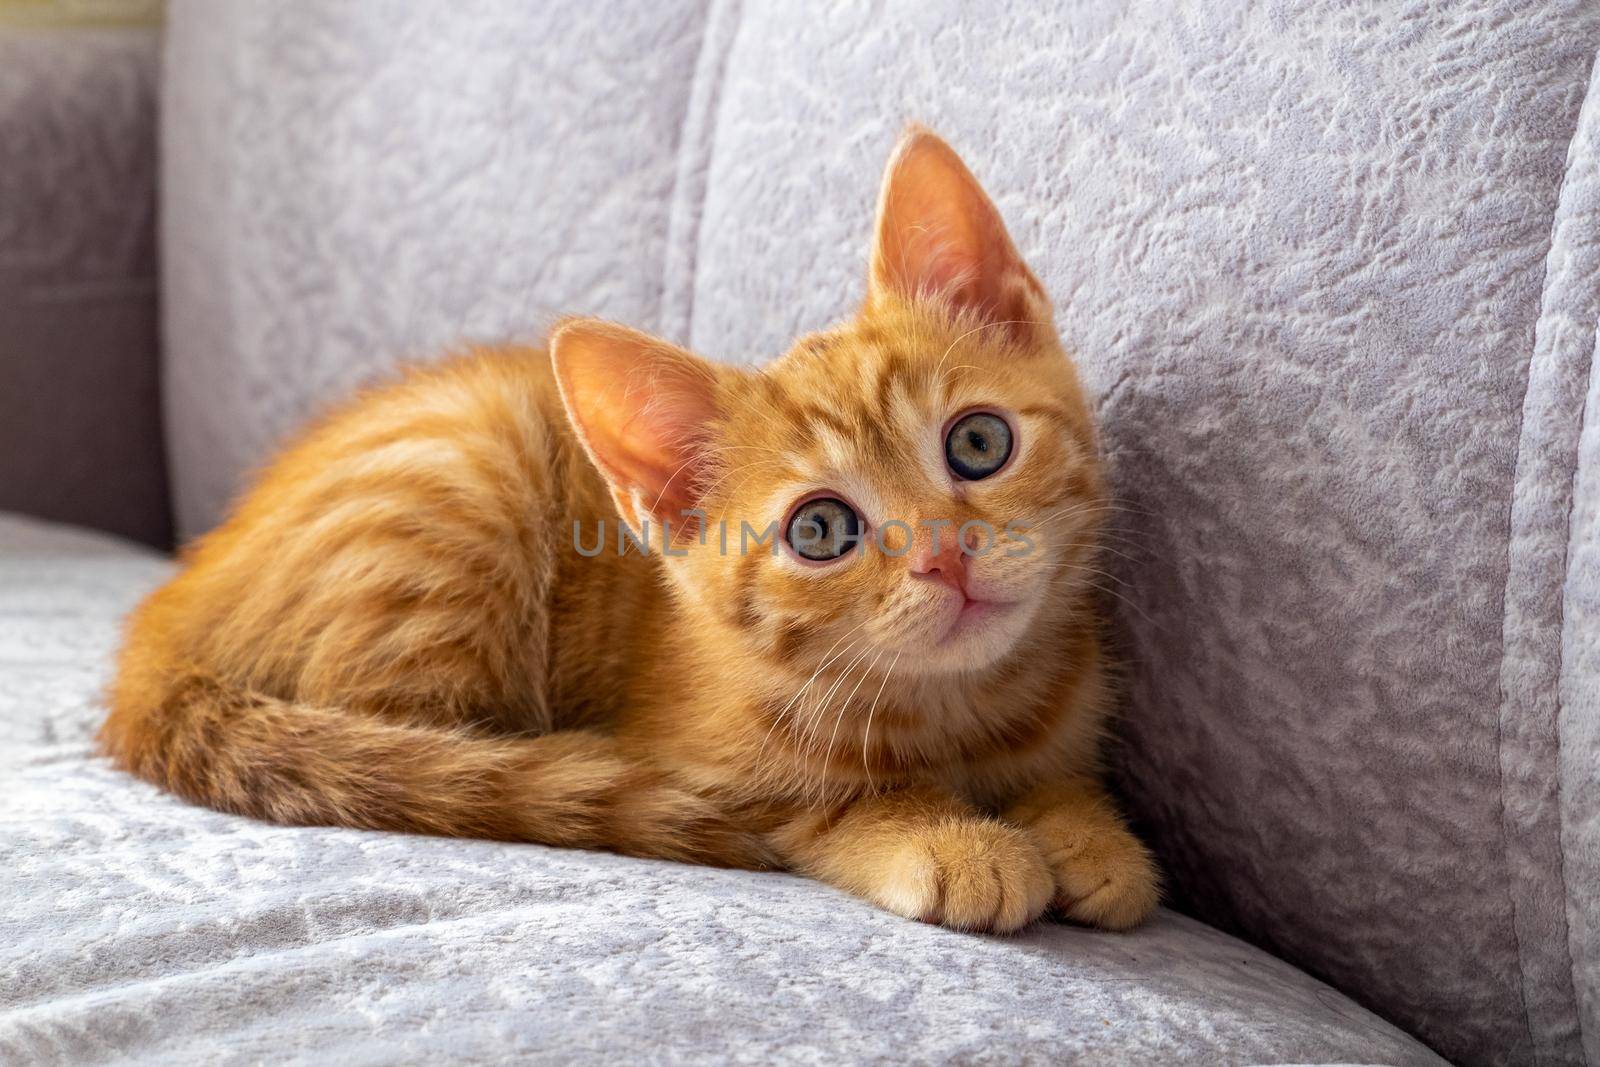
x=1103, y=877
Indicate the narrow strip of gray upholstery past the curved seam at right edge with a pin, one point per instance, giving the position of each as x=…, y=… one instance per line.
x=1550, y=721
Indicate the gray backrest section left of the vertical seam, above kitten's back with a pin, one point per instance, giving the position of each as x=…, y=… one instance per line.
x=346, y=186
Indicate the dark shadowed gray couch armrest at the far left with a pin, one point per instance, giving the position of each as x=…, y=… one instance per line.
x=81, y=433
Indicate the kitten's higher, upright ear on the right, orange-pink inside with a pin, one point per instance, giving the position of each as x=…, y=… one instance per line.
x=938, y=236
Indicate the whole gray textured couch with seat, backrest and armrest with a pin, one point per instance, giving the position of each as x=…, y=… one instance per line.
x=1334, y=274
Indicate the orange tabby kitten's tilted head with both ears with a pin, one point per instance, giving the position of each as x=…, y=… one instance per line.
x=918, y=486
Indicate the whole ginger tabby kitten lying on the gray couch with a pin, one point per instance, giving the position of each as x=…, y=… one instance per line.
x=412, y=623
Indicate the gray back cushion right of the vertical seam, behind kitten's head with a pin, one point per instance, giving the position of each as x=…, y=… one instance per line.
x=1300, y=250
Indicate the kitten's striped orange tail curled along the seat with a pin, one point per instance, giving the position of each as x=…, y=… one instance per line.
x=306, y=765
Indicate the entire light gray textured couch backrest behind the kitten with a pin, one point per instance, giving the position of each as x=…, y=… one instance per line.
x=1332, y=274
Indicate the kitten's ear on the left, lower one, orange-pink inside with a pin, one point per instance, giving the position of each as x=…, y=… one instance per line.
x=644, y=410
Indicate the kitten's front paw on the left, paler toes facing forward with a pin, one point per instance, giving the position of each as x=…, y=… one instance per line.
x=970, y=874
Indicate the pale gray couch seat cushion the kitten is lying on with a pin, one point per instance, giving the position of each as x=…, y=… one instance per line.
x=143, y=930
